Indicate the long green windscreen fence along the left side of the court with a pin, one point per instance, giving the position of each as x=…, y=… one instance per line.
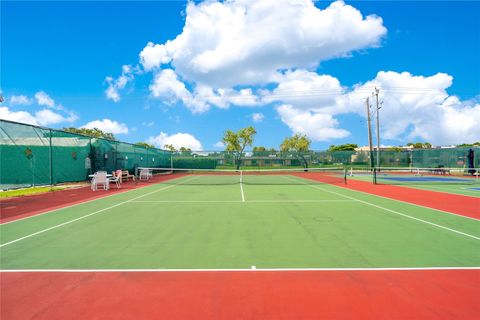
x=30, y=155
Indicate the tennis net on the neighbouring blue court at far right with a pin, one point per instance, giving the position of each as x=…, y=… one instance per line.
x=423, y=176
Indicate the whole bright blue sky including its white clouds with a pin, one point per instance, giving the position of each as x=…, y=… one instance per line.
x=304, y=69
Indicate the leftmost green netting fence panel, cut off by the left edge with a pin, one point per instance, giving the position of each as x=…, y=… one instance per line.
x=24, y=155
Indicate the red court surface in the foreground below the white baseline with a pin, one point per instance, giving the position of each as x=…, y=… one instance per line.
x=285, y=295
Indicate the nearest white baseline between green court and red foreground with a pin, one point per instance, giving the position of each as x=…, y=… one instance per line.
x=237, y=270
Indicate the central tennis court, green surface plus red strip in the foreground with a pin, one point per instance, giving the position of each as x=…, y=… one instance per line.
x=206, y=244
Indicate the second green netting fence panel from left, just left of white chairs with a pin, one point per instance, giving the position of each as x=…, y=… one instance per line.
x=69, y=153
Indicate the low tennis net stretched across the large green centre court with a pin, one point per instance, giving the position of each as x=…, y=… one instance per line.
x=253, y=177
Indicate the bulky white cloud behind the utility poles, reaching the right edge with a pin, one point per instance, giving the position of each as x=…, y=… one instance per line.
x=419, y=107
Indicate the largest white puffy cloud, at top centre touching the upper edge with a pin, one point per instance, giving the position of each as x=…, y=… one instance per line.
x=245, y=42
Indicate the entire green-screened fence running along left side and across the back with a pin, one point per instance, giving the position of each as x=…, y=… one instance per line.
x=32, y=155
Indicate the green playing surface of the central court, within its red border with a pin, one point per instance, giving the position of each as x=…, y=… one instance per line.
x=193, y=224
